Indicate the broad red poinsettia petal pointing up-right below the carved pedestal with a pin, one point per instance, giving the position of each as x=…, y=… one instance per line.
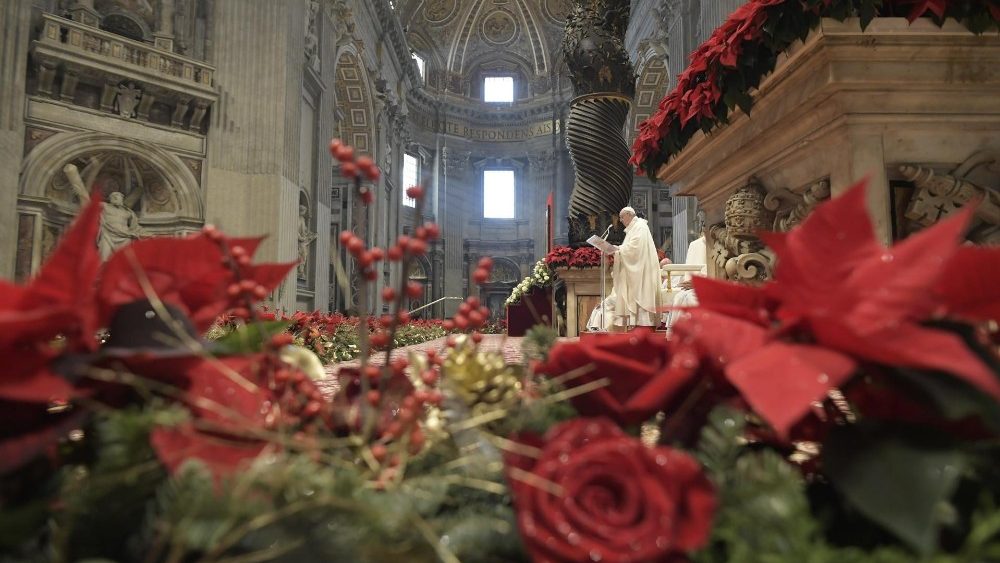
x=895, y=285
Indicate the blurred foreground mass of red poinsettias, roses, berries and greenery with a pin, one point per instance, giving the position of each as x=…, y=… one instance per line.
x=847, y=412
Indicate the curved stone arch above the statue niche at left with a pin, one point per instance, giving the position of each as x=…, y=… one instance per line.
x=44, y=166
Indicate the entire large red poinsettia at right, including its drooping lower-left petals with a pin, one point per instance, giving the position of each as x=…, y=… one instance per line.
x=867, y=304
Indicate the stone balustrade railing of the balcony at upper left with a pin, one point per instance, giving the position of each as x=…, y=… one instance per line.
x=116, y=49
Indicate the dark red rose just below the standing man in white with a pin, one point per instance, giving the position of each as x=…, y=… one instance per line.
x=643, y=373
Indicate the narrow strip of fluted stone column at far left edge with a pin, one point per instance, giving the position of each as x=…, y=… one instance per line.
x=15, y=20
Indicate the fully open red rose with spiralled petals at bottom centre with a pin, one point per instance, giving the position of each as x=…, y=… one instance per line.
x=609, y=498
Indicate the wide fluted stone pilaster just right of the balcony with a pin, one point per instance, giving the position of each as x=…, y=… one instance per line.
x=252, y=186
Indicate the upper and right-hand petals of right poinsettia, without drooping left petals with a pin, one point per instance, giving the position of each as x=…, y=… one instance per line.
x=870, y=301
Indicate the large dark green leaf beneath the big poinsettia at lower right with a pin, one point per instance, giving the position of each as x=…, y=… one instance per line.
x=896, y=475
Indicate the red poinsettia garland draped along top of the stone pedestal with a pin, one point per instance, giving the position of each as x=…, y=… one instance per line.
x=725, y=69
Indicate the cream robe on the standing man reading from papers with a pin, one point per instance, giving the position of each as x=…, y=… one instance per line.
x=636, y=276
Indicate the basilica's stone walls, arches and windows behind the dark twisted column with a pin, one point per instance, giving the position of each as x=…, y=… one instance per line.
x=219, y=112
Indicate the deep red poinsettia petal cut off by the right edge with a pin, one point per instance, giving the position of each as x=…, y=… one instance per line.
x=970, y=286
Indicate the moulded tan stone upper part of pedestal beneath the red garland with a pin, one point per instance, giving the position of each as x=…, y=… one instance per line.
x=844, y=105
